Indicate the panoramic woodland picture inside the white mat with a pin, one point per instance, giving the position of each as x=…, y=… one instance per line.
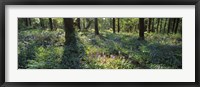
x=99, y=43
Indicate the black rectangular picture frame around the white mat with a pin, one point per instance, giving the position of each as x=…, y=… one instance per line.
x=98, y=2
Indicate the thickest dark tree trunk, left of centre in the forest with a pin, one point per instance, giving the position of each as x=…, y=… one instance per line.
x=69, y=31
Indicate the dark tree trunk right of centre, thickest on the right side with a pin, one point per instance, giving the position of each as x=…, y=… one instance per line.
x=141, y=31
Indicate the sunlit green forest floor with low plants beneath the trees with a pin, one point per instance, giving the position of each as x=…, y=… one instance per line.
x=45, y=49
